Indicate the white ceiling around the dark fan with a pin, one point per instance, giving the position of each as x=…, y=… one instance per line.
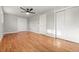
x=15, y=10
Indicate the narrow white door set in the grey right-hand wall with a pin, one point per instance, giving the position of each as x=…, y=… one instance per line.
x=42, y=24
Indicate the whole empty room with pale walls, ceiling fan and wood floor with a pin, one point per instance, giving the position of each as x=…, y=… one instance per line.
x=39, y=28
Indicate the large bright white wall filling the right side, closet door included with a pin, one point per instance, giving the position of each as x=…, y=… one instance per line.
x=68, y=24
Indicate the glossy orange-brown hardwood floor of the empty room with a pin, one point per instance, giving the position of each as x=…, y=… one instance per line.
x=33, y=42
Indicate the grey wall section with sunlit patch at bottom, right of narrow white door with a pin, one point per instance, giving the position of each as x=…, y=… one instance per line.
x=50, y=23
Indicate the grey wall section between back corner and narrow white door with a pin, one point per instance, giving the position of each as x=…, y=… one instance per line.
x=34, y=24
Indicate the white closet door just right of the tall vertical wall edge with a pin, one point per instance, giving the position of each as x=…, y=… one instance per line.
x=60, y=20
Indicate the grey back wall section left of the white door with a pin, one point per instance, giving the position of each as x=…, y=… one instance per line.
x=10, y=23
